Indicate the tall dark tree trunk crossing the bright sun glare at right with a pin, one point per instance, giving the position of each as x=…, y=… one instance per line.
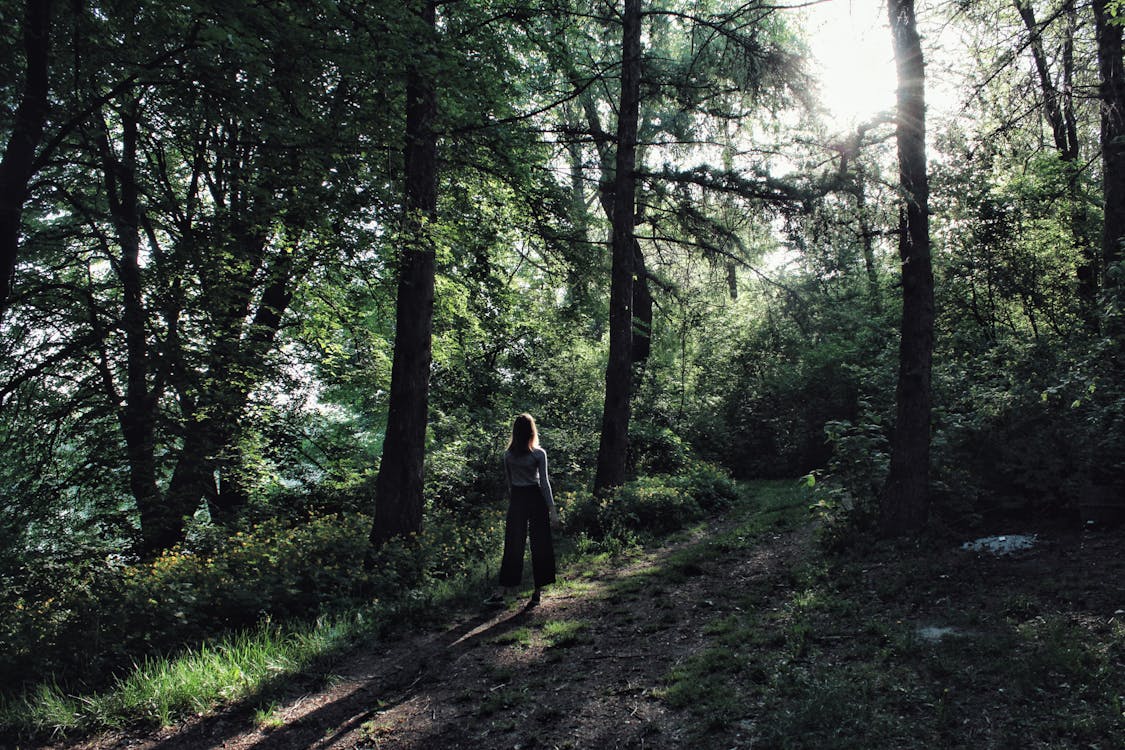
x=905, y=502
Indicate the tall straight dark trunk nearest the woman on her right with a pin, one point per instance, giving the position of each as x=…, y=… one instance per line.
x=615, y=444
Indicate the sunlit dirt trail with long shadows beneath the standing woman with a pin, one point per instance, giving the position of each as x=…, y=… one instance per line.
x=584, y=670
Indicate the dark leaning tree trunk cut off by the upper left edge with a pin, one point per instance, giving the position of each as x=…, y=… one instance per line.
x=19, y=164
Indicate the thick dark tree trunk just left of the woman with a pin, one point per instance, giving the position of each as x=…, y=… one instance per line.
x=399, y=487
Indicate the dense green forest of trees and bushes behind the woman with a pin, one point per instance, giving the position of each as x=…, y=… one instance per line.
x=278, y=276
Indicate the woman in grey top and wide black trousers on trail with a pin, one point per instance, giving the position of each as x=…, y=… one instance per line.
x=532, y=510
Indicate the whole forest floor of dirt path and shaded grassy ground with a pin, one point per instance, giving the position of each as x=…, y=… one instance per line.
x=737, y=635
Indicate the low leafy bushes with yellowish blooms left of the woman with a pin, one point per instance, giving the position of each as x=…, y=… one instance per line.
x=89, y=620
